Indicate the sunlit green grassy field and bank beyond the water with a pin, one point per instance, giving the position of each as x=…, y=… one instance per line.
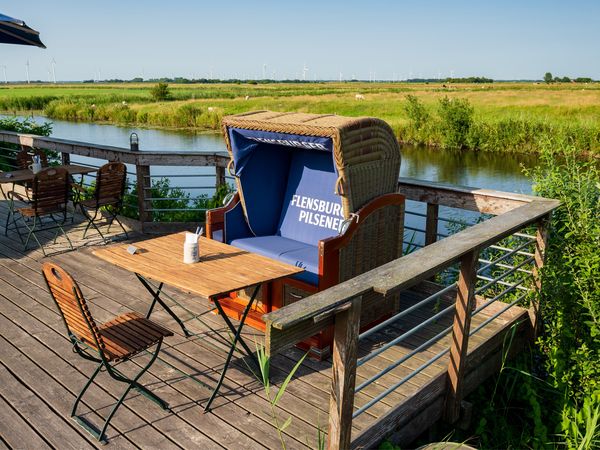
x=503, y=116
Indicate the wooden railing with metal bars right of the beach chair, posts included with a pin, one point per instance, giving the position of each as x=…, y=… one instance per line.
x=514, y=217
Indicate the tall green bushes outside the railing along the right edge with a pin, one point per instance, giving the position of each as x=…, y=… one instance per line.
x=549, y=396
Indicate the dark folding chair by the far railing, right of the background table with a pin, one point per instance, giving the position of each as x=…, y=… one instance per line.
x=108, y=195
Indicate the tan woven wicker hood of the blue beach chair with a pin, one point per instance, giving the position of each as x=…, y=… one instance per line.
x=366, y=152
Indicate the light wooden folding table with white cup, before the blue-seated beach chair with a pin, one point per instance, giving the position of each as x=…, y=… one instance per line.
x=222, y=269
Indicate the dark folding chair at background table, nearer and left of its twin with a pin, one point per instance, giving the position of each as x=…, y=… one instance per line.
x=50, y=192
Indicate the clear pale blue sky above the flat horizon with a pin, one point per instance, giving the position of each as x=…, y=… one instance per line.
x=384, y=39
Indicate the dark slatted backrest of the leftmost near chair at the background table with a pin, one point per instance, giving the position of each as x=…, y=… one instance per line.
x=50, y=191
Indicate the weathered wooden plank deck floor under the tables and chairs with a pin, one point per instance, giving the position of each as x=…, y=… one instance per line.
x=40, y=375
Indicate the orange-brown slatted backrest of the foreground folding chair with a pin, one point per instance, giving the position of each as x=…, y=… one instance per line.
x=71, y=304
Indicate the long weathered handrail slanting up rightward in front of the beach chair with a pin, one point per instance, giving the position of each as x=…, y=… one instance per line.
x=407, y=271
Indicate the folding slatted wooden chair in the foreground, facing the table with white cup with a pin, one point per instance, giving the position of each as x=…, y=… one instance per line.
x=107, y=345
